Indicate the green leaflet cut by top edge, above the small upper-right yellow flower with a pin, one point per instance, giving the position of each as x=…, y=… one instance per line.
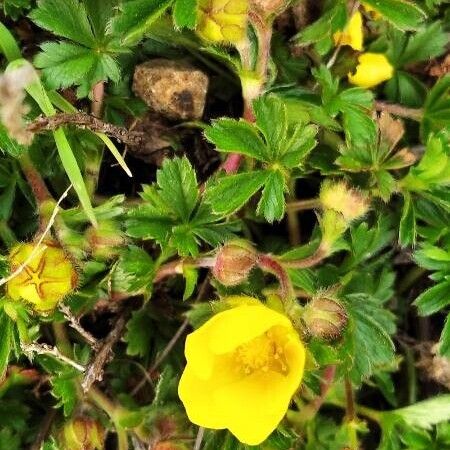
x=404, y=14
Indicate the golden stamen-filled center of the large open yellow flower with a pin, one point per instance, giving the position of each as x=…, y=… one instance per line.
x=262, y=353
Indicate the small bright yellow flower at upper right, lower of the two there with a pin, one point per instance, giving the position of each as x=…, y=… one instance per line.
x=373, y=69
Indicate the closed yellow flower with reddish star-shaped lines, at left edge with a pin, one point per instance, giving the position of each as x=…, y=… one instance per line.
x=45, y=280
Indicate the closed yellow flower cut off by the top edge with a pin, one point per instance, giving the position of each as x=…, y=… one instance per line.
x=222, y=20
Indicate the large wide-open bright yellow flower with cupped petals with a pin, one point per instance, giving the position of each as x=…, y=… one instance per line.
x=243, y=366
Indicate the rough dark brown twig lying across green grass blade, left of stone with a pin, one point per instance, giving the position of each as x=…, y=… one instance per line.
x=86, y=121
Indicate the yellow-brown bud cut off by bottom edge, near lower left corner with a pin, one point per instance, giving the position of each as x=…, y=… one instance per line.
x=83, y=433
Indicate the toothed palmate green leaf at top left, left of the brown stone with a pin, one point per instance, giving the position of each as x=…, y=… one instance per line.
x=88, y=58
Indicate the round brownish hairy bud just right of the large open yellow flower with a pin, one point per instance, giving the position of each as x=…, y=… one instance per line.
x=324, y=317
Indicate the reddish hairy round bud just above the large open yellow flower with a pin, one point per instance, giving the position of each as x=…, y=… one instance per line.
x=234, y=262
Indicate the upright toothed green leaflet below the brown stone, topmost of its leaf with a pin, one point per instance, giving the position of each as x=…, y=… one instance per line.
x=178, y=186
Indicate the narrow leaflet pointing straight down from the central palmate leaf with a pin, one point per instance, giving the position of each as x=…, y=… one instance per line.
x=272, y=203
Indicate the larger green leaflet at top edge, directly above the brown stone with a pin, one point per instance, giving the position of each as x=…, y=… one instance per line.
x=136, y=18
